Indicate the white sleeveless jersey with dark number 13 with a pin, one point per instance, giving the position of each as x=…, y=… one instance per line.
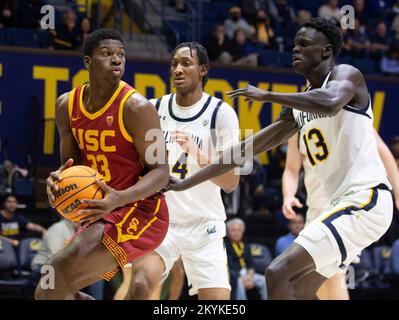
x=341, y=149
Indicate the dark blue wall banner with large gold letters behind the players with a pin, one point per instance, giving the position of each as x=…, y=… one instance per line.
x=30, y=82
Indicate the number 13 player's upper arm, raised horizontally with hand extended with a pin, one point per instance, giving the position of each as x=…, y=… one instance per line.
x=327, y=101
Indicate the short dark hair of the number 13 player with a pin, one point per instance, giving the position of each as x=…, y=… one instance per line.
x=331, y=29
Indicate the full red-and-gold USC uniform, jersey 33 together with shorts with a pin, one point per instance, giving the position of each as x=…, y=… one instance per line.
x=105, y=145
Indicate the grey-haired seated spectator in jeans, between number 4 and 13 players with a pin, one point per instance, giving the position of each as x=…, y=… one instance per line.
x=241, y=265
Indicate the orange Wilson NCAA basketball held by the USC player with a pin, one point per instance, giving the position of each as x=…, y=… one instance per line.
x=78, y=183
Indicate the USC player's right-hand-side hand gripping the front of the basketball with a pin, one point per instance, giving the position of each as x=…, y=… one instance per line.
x=97, y=209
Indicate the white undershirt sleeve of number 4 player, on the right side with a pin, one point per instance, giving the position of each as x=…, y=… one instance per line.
x=227, y=127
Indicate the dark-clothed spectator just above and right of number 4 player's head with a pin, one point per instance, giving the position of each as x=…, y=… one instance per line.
x=217, y=43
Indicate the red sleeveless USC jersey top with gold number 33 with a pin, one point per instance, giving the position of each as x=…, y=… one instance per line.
x=103, y=140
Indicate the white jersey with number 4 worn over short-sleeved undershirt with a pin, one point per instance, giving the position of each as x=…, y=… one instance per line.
x=201, y=121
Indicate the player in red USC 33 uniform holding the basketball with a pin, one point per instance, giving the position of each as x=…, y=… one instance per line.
x=102, y=125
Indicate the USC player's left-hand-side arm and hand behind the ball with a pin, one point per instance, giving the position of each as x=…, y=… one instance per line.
x=69, y=150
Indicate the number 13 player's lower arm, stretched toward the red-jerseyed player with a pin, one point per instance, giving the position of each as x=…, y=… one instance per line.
x=266, y=139
